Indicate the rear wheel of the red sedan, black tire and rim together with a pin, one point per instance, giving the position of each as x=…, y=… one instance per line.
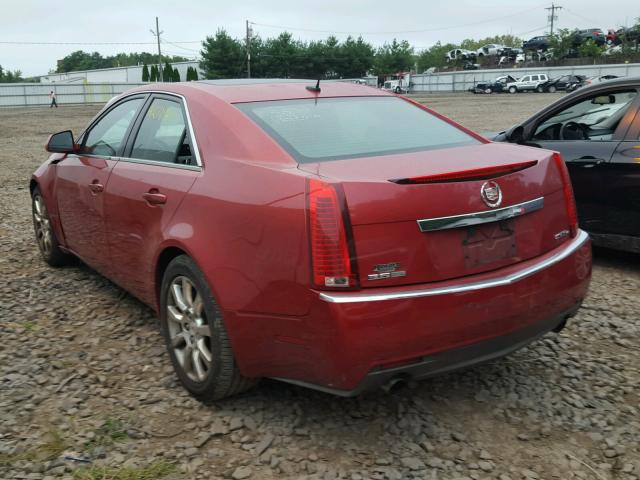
x=198, y=330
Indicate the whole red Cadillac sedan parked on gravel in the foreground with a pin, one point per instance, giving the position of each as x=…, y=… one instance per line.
x=332, y=236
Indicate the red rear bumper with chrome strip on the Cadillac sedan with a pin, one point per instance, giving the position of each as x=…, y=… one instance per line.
x=355, y=341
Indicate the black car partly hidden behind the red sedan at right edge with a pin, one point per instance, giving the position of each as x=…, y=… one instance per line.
x=597, y=131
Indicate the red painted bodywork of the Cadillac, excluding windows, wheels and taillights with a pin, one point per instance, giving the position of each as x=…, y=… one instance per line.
x=243, y=218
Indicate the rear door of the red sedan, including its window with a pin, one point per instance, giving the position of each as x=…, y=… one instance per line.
x=147, y=185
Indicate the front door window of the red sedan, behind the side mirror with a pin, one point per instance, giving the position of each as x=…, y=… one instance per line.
x=107, y=137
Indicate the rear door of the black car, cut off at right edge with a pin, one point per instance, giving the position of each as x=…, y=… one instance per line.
x=621, y=184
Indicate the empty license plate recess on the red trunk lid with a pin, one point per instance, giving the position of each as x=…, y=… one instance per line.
x=489, y=243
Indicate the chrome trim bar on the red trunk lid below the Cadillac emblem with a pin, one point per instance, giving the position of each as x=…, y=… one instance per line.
x=477, y=218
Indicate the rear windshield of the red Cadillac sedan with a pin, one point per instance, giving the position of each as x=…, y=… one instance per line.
x=337, y=128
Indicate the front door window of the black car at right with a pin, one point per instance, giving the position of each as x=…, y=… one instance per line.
x=595, y=118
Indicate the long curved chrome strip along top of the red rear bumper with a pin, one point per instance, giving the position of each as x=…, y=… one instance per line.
x=510, y=279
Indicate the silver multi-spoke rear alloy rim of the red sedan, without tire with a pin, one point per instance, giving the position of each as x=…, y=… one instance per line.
x=188, y=329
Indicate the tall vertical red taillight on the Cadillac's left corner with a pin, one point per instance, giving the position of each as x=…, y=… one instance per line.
x=331, y=253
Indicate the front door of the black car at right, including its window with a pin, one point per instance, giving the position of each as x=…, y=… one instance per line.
x=586, y=158
